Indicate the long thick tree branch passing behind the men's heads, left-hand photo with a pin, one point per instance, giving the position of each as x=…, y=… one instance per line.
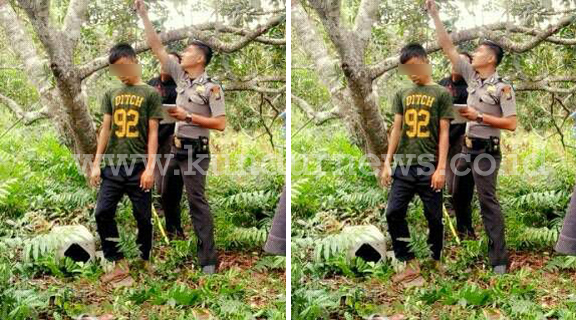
x=199, y=32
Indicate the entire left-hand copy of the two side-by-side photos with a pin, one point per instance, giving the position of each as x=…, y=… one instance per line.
x=143, y=158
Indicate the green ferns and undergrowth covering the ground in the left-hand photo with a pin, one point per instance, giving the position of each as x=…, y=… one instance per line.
x=45, y=190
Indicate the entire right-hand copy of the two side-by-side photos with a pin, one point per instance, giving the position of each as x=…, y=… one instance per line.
x=432, y=159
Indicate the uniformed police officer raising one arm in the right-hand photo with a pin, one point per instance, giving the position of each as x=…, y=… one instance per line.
x=491, y=107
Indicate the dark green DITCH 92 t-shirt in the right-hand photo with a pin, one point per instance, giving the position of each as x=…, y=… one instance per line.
x=422, y=107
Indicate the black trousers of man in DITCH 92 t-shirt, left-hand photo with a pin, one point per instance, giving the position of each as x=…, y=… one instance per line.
x=114, y=185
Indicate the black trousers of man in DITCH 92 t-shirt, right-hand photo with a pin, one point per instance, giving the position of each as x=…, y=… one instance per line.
x=415, y=180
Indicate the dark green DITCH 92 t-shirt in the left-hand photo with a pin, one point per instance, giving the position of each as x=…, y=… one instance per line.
x=131, y=107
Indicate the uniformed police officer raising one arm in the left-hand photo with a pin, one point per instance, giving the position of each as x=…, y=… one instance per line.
x=200, y=108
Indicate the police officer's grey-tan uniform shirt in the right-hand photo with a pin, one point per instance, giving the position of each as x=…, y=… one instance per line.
x=491, y=96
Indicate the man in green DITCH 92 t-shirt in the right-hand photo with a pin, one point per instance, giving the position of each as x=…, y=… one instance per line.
x=420, y=141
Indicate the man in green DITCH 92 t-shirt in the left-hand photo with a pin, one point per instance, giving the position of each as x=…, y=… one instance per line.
x=128, y=138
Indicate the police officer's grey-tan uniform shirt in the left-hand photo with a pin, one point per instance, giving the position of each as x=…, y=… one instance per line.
x=198, y=96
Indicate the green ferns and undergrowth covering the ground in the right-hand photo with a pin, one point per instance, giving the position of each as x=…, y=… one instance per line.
x=331, y=286
